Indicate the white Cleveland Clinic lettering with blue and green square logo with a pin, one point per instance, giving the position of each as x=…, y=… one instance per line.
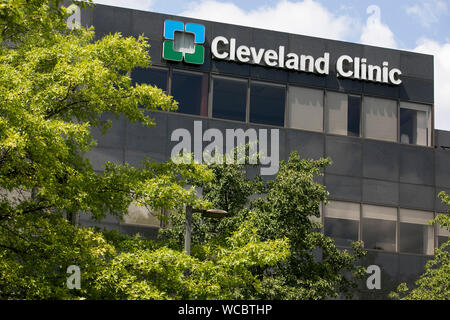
x=185, y=42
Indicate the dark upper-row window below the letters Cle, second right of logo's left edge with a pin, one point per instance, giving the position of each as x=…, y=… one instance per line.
x=229, y=98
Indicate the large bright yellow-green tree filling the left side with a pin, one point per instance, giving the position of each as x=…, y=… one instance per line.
x=55, y=84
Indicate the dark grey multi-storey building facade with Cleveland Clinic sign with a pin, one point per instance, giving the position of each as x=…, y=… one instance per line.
x=370, y=109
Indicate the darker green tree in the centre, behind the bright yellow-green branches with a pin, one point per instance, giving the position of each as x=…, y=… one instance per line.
x=283, y=208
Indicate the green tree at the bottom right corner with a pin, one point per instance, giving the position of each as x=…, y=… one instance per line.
x=434, y=283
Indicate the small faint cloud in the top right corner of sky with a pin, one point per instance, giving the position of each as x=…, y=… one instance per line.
x=428, y=12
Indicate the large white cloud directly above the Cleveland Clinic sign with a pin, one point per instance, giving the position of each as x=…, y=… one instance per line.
x=306, y=17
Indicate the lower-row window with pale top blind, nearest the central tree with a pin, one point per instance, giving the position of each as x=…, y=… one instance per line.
x=341, y=222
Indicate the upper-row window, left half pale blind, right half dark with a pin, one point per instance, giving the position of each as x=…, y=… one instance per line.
x=343, y=114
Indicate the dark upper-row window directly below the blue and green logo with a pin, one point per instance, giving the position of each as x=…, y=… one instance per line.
x=190, y=90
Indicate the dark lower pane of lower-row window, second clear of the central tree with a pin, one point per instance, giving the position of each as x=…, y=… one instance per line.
x=378, y=234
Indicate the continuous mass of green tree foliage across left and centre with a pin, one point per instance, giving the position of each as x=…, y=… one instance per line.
x=55, y=84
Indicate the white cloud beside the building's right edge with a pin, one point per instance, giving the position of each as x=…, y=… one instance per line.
x=441, y=54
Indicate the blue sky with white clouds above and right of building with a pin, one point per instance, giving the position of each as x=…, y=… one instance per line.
x=414, y=25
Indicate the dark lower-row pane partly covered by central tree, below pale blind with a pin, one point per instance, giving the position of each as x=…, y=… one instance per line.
x=343, y=231
